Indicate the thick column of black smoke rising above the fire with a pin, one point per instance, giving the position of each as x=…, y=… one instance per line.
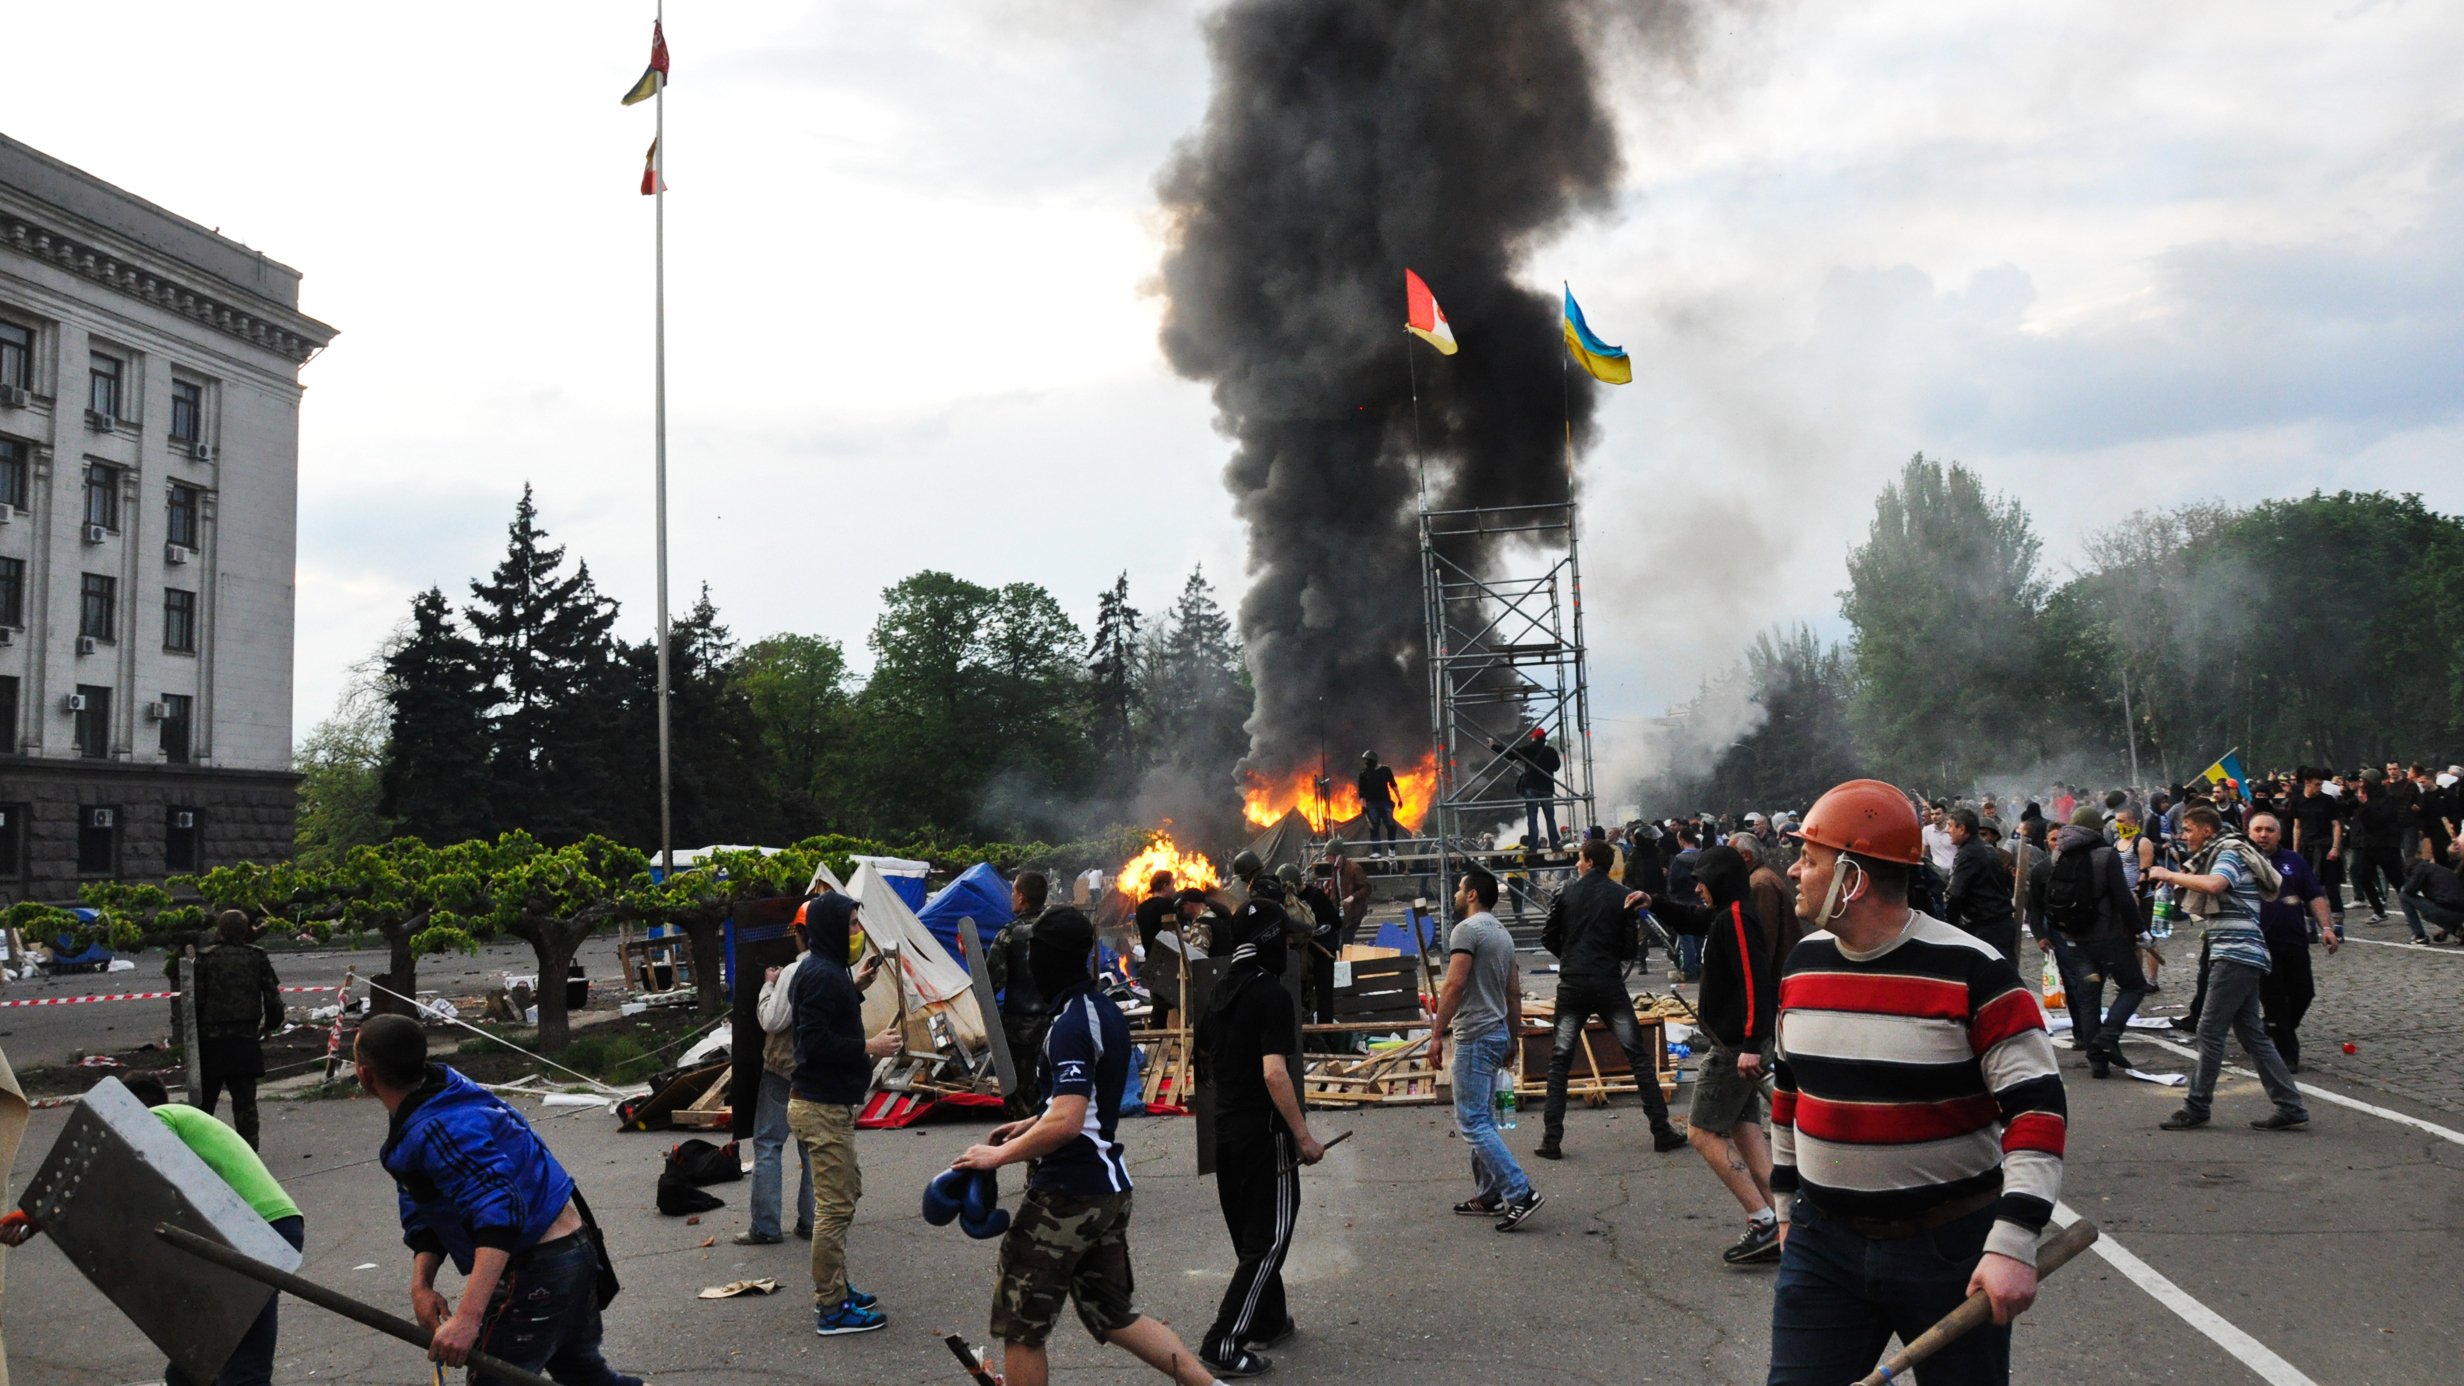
x=1347, y=142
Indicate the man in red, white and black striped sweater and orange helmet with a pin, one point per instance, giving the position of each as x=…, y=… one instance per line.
x=1918, y=1128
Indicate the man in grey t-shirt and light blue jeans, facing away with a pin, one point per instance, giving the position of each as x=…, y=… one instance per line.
x=1482, y=1007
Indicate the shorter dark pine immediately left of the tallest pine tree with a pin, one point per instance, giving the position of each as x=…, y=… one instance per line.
x=435, y=778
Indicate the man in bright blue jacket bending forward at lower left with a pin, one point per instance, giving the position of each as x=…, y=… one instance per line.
x=479, y=1187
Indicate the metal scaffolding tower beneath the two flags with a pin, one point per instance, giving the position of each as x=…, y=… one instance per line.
x=1507, y=655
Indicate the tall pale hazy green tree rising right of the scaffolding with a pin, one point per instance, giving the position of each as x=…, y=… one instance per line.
x=1943, y=601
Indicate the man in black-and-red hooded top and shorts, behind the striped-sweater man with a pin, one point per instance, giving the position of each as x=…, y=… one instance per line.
x=1738, y=1005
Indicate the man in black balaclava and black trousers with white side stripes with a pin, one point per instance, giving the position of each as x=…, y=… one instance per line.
x=1248, y=1049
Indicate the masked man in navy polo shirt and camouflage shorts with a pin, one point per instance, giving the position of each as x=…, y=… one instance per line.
x=1071, y=1237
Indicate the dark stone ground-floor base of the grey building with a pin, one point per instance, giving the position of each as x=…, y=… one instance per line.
x=70, y=822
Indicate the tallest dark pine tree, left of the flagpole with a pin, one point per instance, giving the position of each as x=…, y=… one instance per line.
x=556, y=721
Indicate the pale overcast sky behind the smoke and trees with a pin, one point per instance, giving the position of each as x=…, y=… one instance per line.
x=2113, y=255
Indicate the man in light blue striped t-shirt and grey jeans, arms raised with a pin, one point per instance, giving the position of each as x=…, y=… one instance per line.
x=2226, y=884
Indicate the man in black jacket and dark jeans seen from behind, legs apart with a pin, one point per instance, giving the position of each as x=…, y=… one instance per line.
x=1593, y=931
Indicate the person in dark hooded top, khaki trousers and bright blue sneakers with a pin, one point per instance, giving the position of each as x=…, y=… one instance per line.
x=834, y=1067
